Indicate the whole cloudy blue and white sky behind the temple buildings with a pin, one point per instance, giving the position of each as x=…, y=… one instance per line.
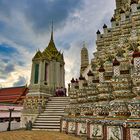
x=25, y=27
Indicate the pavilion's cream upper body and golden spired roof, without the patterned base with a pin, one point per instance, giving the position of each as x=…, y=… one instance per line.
x=47, y=69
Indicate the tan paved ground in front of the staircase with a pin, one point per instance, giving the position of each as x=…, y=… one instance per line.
x=35, y=135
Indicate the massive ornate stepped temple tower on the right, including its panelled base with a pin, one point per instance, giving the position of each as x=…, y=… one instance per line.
x=106, y=105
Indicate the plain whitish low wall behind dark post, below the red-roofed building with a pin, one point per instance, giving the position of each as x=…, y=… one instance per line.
x=14, y=125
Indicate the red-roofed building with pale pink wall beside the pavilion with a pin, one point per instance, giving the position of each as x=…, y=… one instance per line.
x=12, y=97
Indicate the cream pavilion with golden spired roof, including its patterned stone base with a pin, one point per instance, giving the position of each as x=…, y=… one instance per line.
x=47, y=75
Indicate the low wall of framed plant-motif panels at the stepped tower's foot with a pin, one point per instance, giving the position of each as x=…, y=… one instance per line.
x=94, y=129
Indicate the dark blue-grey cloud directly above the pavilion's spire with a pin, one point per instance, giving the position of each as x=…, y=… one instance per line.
x=41, y=13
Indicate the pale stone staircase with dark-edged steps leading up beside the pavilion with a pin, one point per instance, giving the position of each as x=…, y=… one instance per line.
x=50, y=119
